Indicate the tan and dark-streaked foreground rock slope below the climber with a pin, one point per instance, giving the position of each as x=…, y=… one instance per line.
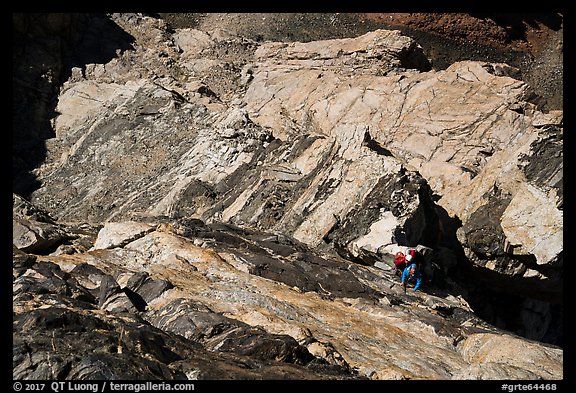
x=223, y=296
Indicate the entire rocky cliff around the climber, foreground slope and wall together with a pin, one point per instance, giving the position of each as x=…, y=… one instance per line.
x=214, y=207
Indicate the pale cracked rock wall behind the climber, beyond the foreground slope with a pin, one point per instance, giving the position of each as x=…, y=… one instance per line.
x=335, y=143
